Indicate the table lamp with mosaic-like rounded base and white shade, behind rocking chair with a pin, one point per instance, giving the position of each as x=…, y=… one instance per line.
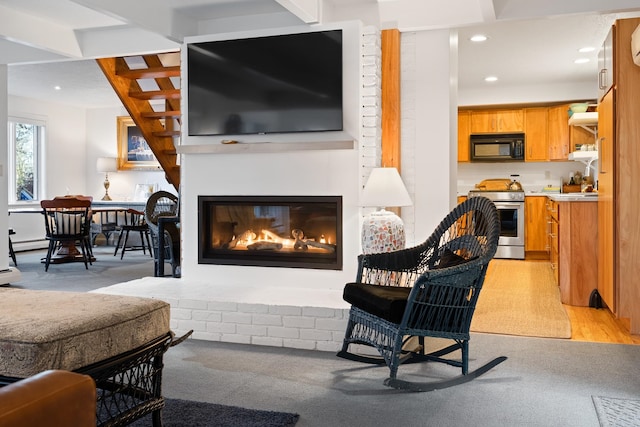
x=382, y=230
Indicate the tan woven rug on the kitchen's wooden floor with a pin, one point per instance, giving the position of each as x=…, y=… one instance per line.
x=521, y=298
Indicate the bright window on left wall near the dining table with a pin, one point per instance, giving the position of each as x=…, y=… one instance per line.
x=25, y=142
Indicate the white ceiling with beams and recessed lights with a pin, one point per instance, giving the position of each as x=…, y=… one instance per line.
x=51, y=43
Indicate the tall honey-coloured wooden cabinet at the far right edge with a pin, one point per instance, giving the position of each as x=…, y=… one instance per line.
x=618, y=180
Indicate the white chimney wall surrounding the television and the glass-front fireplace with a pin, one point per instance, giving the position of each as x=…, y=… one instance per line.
x=314, y=172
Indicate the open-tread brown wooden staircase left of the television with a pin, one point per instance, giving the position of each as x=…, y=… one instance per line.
x=145, y=87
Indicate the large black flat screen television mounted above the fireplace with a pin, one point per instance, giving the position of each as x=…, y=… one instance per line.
x=263, y=85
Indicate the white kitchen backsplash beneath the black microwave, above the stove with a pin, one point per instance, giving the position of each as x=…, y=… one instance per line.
x=533, y=176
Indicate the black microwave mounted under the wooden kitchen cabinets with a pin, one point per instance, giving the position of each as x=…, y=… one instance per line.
x=501, y=147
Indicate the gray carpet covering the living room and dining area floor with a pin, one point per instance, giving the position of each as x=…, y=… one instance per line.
x=544, y=382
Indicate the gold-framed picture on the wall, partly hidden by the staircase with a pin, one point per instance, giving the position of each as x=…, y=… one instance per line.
x=133, y=151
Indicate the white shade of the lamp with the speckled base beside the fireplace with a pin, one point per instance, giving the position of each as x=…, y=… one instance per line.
x=385, y=188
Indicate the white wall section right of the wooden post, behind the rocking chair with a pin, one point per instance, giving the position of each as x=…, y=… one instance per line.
x=429, y=112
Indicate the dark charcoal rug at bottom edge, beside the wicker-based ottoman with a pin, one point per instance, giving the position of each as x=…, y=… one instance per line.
x=188, y=413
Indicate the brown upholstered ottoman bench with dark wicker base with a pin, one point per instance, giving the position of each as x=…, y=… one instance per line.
x=118, y=340
